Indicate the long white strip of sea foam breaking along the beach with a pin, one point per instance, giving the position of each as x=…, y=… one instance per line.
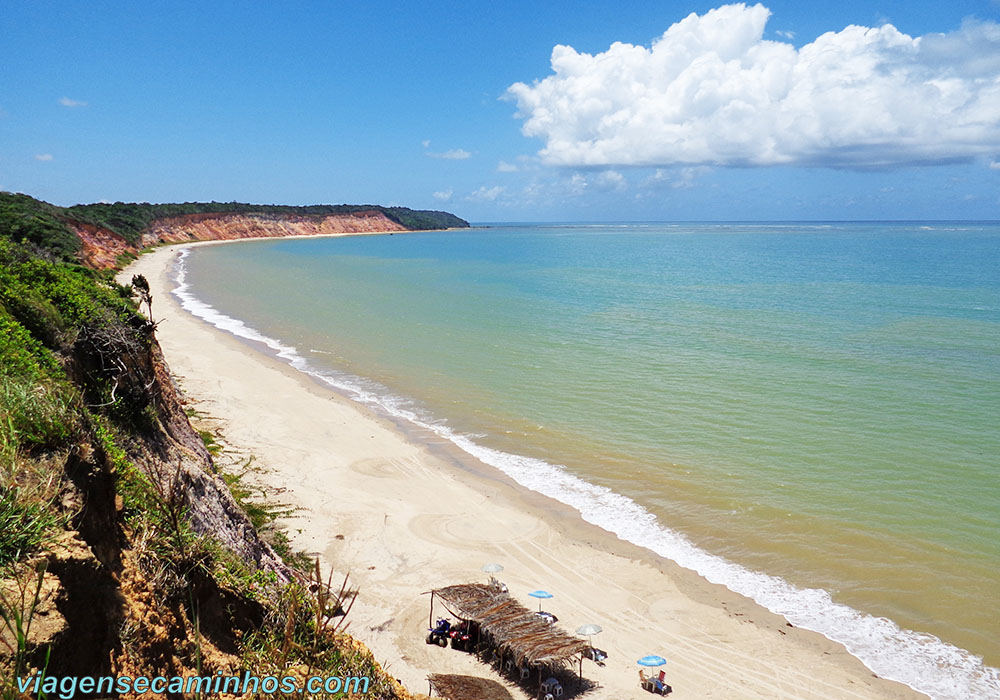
x=919, y=660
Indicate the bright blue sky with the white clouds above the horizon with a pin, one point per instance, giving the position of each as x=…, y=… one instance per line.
x=555, y=111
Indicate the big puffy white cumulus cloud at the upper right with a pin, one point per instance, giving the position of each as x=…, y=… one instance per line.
x=712, y=91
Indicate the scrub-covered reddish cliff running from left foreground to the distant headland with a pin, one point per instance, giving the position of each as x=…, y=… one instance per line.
x=125, y=549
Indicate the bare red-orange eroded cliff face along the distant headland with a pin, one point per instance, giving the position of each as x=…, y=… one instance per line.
x=101, y=248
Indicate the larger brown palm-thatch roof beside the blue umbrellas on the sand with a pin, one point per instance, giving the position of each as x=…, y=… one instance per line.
x=513, y=628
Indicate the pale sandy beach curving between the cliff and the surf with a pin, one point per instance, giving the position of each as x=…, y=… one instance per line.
x=404, y=512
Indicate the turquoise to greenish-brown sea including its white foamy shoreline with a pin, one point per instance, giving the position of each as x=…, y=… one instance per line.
x=807, y=413
